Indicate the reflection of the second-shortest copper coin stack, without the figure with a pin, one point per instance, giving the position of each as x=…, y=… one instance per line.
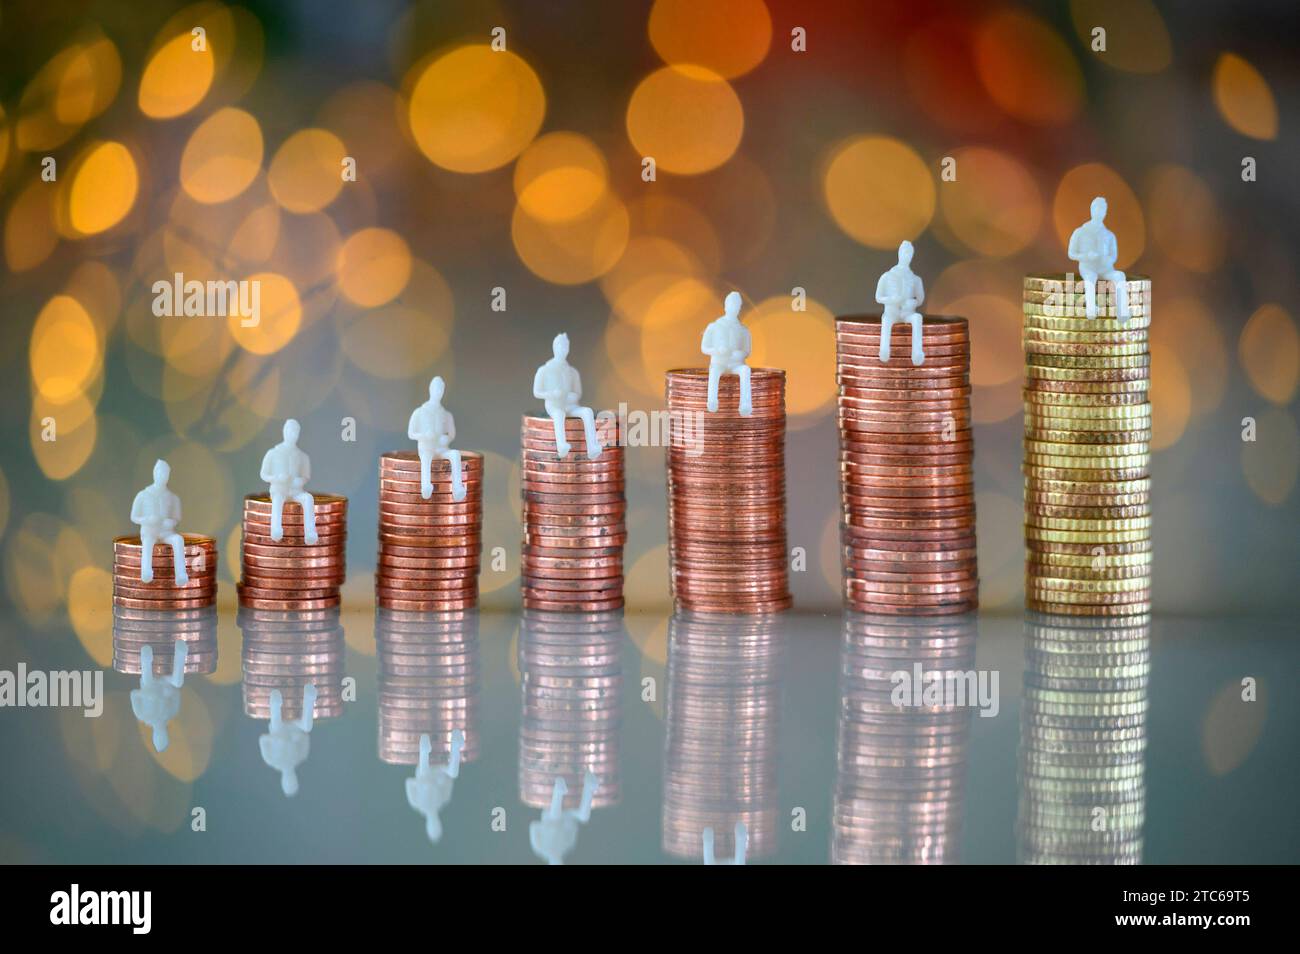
x=287, y=652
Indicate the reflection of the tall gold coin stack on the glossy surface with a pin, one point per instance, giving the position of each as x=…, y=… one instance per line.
x=1084, y=739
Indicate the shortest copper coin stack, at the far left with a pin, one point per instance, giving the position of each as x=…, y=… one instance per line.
x=163, y=592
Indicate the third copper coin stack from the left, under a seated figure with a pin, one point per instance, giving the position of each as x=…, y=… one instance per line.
x=430, y=550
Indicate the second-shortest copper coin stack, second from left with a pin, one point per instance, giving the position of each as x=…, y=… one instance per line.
x=292, y=575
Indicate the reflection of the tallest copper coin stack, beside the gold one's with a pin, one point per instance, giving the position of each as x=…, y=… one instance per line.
x=900, y=771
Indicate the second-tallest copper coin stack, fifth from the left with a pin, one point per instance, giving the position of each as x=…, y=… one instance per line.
x=727, y=495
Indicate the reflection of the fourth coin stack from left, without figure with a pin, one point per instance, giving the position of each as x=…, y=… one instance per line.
x=571, y=674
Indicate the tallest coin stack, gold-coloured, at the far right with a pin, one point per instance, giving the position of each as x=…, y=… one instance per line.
x=1087, y=450
